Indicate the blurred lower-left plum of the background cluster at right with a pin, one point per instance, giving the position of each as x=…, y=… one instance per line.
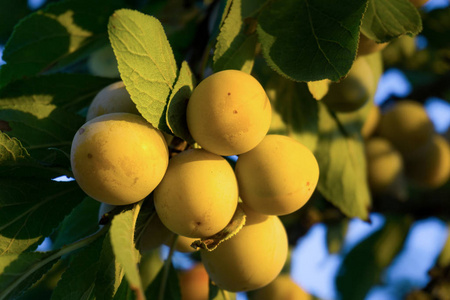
x=384, y=165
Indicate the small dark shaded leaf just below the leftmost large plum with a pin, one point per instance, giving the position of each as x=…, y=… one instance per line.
x=81, y=222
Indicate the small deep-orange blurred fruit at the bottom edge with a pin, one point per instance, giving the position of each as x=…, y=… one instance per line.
x=194, y=283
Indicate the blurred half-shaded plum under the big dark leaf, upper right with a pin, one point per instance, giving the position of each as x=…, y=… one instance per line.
x=353, y=91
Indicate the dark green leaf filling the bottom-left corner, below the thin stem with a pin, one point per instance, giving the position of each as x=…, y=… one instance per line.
x=19, y=271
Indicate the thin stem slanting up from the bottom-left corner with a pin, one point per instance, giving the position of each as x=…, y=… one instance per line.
x=63, y=251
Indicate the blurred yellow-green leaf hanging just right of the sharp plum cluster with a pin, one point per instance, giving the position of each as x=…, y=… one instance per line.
x=342, y=164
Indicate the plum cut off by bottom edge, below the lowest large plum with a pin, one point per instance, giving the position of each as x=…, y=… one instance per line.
x=282, y=288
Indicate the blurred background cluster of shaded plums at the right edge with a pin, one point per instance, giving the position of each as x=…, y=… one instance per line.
x=404, y=148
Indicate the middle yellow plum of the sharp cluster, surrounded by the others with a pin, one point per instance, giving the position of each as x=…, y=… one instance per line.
x=198, y=195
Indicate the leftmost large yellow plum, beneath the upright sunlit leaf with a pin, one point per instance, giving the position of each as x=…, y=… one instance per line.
x=118, y=158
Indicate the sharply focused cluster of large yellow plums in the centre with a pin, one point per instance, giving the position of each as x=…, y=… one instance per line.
x=119, y=158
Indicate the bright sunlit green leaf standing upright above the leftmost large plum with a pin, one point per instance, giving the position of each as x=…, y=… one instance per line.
x=146, y=62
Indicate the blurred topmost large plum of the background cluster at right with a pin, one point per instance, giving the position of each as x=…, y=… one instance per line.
x=407, y=126
